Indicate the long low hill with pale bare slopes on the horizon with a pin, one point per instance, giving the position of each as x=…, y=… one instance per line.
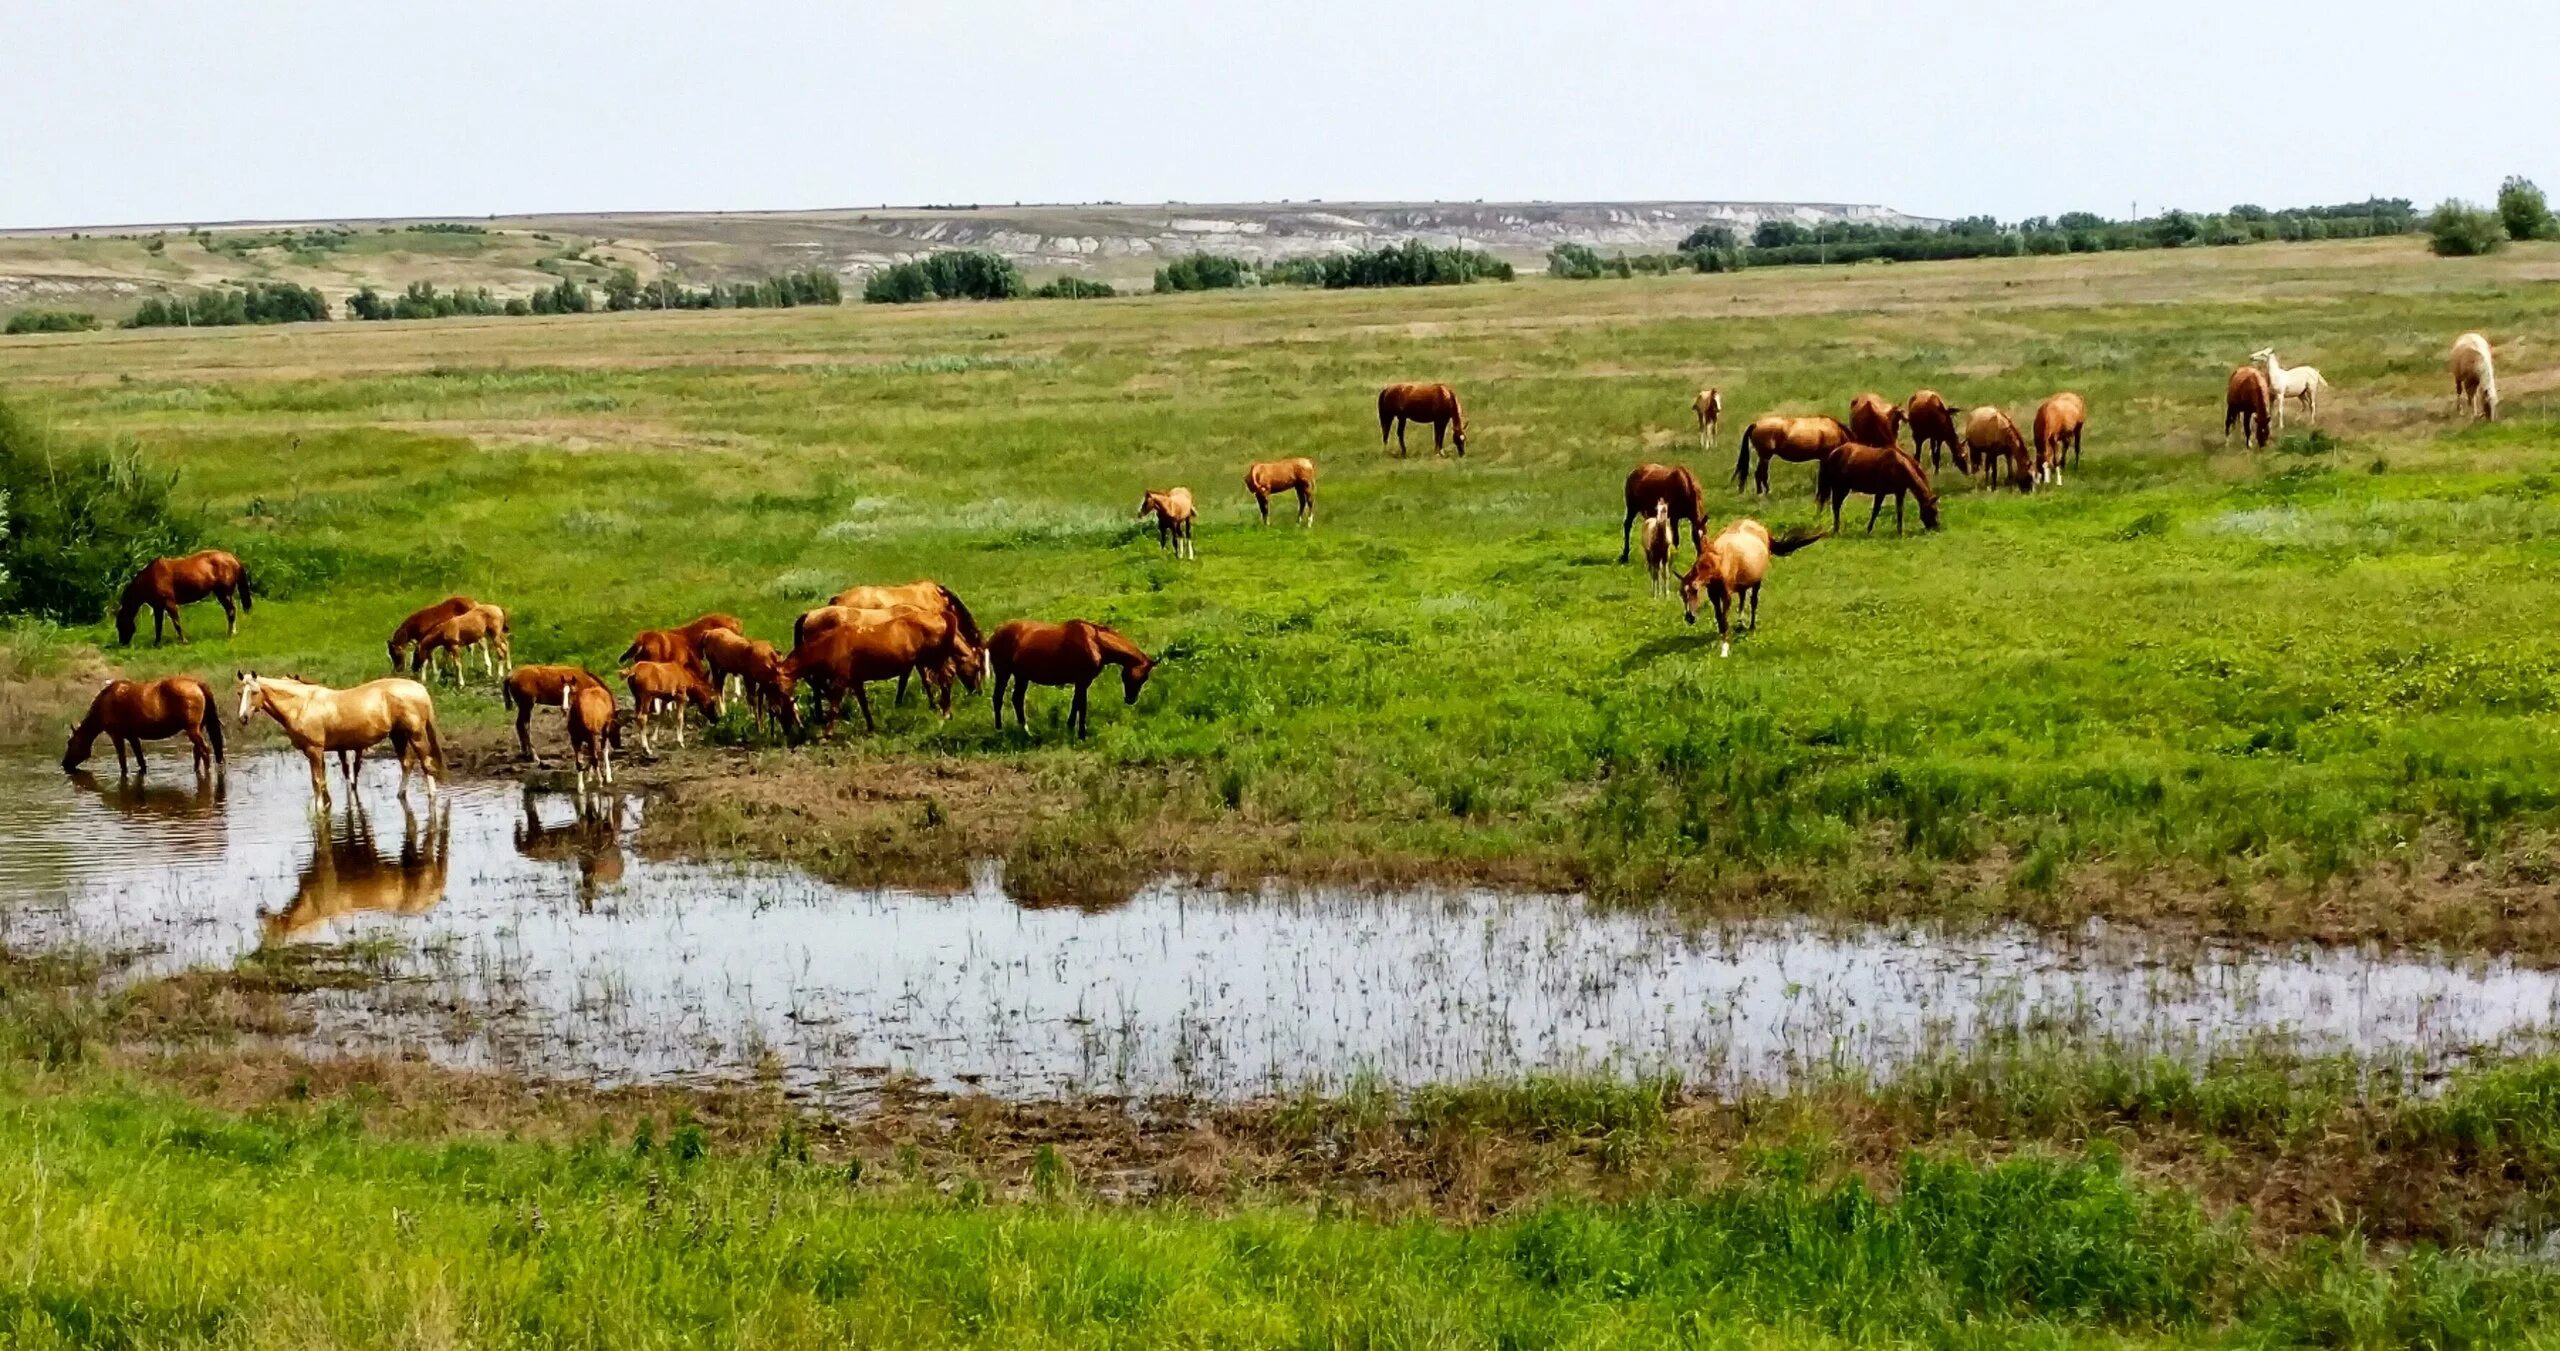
x=111, y=270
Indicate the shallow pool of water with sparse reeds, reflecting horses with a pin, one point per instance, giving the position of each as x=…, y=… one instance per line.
x=529, y=935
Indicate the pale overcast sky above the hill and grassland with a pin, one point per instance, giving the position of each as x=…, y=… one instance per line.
x=224, y=111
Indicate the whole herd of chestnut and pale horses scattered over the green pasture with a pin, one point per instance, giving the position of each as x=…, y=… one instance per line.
x=923, y=631
